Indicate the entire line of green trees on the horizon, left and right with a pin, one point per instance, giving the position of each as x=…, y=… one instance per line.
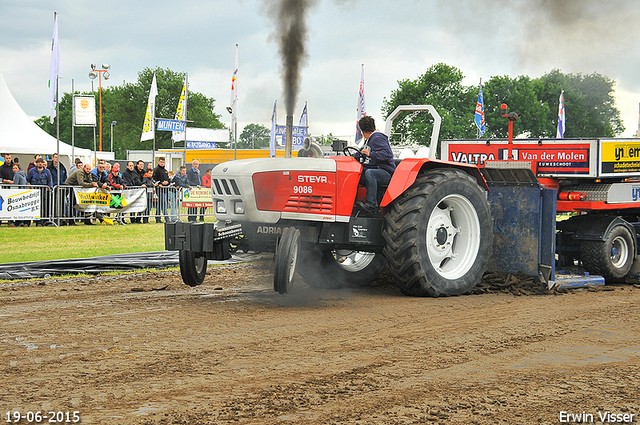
x=589, y=103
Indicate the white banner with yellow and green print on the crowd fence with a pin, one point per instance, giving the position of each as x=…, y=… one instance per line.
x=104, y=201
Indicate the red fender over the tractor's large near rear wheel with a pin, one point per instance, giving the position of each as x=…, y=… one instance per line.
x=410, y=168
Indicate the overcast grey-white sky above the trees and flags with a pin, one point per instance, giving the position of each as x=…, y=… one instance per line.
x=394, y=39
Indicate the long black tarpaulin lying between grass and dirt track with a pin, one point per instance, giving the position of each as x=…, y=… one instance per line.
x=107, y=263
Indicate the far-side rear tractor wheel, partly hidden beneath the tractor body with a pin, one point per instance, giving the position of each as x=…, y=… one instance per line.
x=334, y=269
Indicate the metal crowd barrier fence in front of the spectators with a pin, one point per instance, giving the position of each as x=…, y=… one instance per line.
x=57, y=207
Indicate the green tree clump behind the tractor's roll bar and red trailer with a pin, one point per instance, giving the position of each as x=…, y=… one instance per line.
x=589, y=105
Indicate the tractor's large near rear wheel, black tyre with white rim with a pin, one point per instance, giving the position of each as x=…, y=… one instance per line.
x=438, y=234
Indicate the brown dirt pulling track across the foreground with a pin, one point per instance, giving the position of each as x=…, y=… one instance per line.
x=146, y=349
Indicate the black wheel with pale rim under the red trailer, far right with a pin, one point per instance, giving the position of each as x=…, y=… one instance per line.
x=613, y=257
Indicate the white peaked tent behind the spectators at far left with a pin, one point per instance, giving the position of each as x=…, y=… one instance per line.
x=22, y=138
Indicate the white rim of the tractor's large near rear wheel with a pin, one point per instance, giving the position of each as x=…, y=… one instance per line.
x=453, y=236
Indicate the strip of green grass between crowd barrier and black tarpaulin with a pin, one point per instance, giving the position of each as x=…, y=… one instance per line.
x=57, y=243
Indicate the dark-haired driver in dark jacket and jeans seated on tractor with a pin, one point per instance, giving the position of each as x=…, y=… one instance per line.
x=377, y=159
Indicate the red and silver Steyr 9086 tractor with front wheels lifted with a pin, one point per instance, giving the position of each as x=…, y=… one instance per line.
x=434, y=232
